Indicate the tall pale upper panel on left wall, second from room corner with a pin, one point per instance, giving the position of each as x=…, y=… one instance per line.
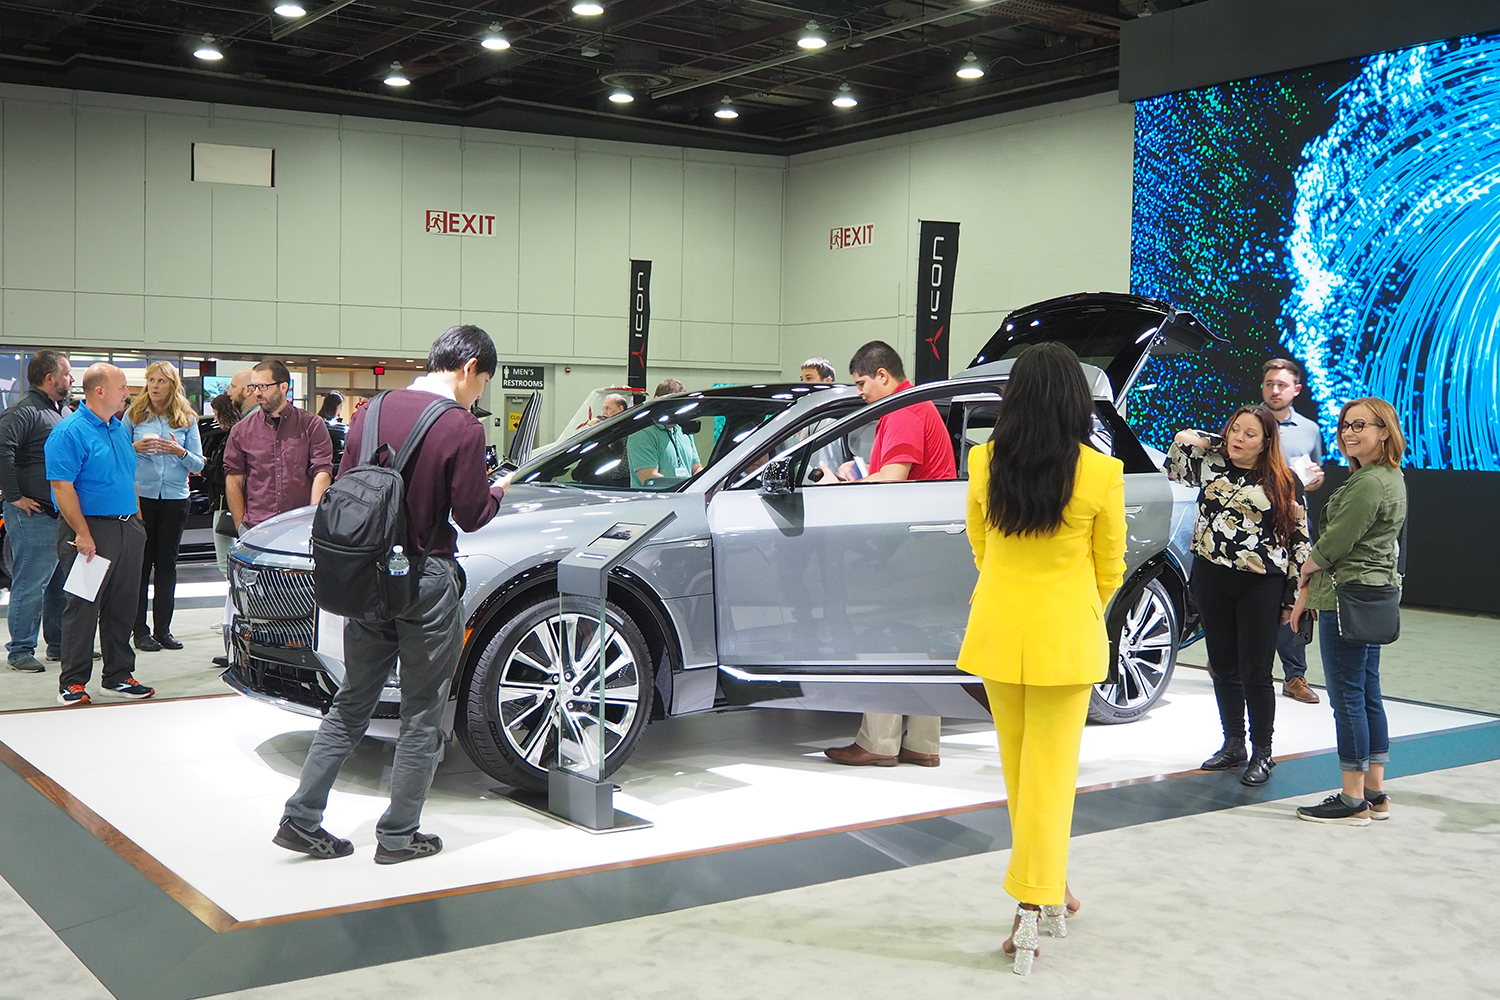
x=709, y=245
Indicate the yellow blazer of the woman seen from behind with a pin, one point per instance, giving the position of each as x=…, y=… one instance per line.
x=1037, y=614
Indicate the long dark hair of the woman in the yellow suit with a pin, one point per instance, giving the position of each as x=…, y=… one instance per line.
x=1046, y=415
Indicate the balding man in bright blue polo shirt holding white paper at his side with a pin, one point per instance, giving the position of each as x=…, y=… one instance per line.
x=91, y=464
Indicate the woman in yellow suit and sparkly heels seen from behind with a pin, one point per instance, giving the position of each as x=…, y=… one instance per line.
x=1048, y=527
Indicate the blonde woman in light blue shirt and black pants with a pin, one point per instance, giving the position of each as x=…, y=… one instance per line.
x=167, y=452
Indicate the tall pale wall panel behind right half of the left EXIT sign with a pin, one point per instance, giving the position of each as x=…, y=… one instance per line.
x=490, y=269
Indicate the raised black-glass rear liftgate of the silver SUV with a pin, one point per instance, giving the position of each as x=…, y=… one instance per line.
x=1112, y=332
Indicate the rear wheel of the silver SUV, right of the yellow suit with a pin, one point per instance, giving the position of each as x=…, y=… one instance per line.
x=1144, y=638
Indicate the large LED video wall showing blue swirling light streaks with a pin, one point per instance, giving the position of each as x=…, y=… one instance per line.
x=1346, y=215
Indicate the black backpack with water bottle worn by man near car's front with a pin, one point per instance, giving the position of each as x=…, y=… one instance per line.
x=361, y=519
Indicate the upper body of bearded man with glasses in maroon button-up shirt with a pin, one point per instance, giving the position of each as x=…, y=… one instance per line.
x=278, y=458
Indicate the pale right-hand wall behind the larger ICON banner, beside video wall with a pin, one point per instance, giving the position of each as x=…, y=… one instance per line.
x=1043, y=199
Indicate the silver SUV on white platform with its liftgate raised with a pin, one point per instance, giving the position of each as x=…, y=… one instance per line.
x=773, y=587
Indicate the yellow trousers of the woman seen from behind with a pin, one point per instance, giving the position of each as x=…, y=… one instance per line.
x=1040, y=732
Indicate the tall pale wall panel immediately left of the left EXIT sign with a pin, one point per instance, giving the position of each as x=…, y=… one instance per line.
x=370, y=247
